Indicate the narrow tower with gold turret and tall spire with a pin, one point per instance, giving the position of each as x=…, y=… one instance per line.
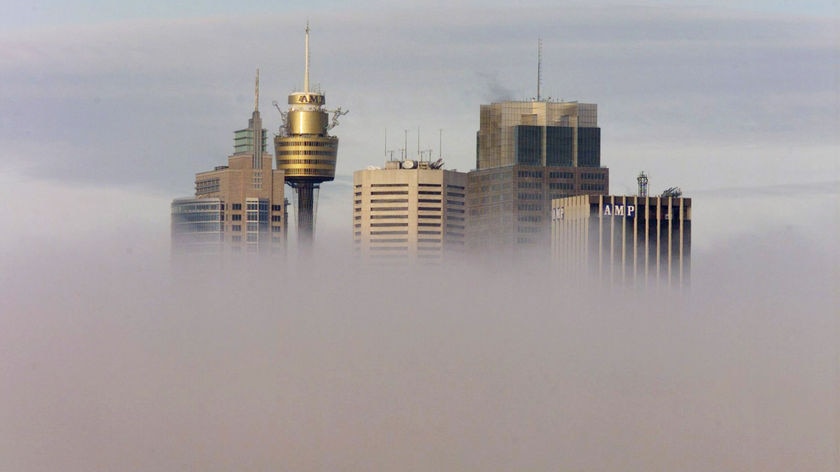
x=305, y=151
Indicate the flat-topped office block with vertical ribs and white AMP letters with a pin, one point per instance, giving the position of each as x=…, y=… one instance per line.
x=624, y=239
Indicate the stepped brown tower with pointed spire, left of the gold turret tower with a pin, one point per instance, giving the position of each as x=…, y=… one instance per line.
x=239, y=207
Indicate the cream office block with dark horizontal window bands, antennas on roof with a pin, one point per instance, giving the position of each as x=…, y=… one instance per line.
x=409, y=211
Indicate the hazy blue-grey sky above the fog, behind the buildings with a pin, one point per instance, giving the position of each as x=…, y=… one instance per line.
x=707, y=96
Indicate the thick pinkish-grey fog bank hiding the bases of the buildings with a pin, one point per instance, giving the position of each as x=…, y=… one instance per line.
x=111, y=361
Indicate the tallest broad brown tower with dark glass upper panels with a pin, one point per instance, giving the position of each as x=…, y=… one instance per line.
x=529, y=152
